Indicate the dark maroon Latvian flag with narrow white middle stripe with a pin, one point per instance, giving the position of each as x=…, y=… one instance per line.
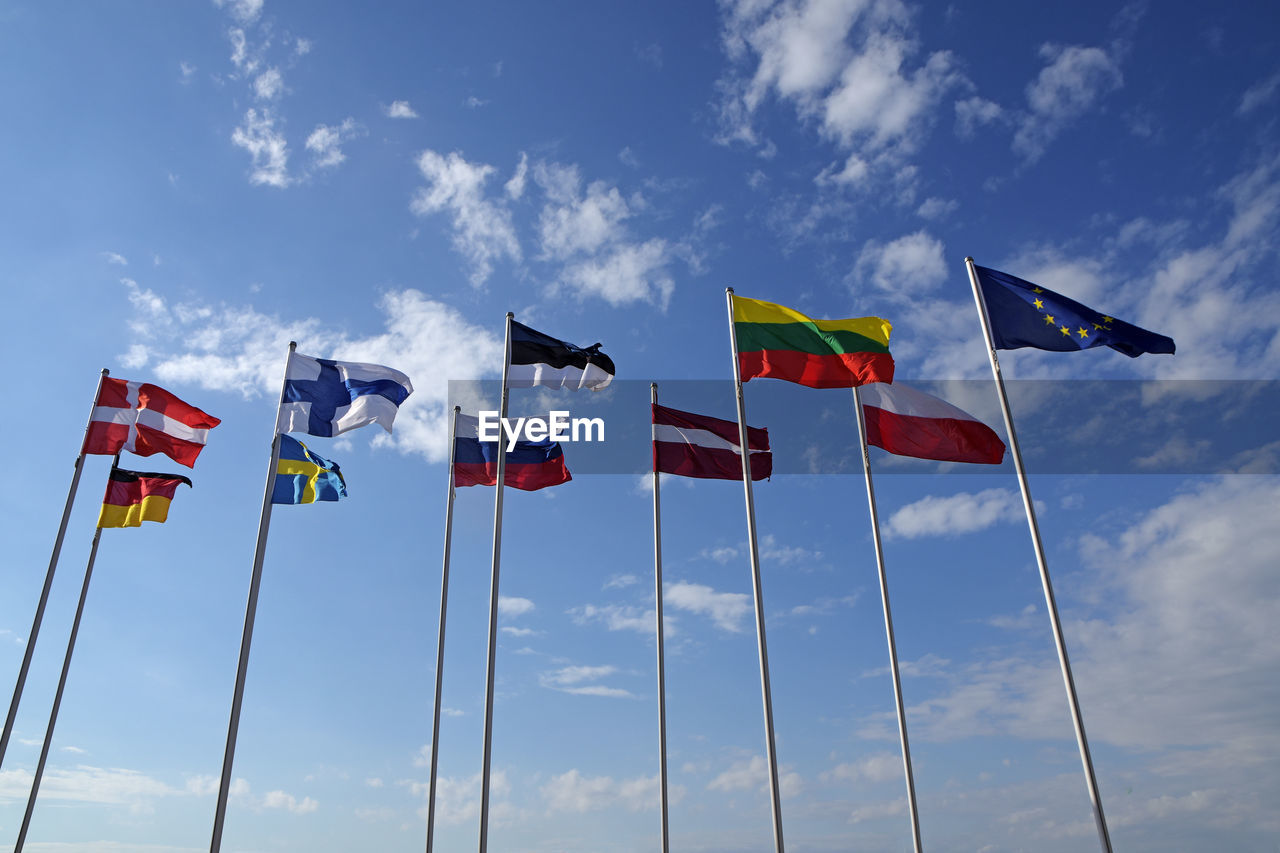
x=706, y=448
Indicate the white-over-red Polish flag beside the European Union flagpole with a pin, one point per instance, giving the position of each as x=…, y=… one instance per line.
x=912, y=423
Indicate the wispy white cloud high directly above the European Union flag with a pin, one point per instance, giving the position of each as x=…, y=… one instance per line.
x=1071, y=84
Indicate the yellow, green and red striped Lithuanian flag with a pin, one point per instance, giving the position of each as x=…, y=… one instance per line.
x=783, y=344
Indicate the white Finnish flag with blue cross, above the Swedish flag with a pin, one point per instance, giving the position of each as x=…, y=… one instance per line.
x=326, y=398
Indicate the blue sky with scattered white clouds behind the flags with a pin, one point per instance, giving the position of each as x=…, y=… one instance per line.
x=188, y=188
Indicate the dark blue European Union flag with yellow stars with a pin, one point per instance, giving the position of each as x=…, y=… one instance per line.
x=1027, y=316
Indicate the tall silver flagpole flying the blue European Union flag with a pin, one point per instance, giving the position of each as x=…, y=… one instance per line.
x=1050, y=604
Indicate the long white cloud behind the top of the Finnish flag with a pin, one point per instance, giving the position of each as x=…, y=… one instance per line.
x=240, y=350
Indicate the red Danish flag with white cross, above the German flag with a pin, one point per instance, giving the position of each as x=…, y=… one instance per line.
x=147, y=419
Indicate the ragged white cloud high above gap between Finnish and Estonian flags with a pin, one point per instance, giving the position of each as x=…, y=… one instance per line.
x=483, y=230
